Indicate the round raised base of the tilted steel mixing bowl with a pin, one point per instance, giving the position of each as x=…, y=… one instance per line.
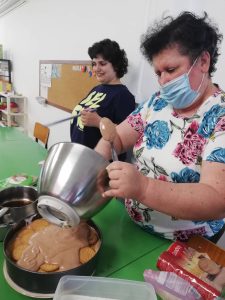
x=56, y=211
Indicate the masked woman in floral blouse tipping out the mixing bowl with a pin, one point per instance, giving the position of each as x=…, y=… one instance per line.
x=176, y=187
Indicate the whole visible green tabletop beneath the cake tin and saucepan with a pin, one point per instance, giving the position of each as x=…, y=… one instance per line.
x=126, y=250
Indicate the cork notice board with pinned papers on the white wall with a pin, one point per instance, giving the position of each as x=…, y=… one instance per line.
x=65, y=83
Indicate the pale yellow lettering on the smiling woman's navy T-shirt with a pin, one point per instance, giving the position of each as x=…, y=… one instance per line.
x=92, y=101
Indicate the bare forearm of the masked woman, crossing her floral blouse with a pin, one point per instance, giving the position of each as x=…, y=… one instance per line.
x=190, y=201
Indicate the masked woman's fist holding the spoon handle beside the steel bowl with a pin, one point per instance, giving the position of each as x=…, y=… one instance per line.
x=125, y=181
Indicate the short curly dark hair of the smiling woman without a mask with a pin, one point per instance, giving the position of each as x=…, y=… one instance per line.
x=110, y=51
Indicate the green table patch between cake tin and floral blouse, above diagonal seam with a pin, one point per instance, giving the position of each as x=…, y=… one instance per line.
x=123, y=240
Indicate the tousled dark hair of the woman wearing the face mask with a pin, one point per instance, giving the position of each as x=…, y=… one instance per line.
x=192, y=34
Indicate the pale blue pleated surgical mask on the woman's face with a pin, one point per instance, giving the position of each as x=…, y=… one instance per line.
x=178, y=91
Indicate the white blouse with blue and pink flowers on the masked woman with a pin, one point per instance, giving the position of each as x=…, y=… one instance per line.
x=172, y=148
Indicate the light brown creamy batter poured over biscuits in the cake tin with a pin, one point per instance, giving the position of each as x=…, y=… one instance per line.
x=55, y=245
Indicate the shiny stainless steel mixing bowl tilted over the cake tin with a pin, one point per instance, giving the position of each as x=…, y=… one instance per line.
x=70, y=184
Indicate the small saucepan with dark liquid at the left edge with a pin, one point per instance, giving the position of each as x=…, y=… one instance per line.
x=16, y=203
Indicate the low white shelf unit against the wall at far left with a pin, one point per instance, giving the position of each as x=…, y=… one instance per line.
x=14, y=119
